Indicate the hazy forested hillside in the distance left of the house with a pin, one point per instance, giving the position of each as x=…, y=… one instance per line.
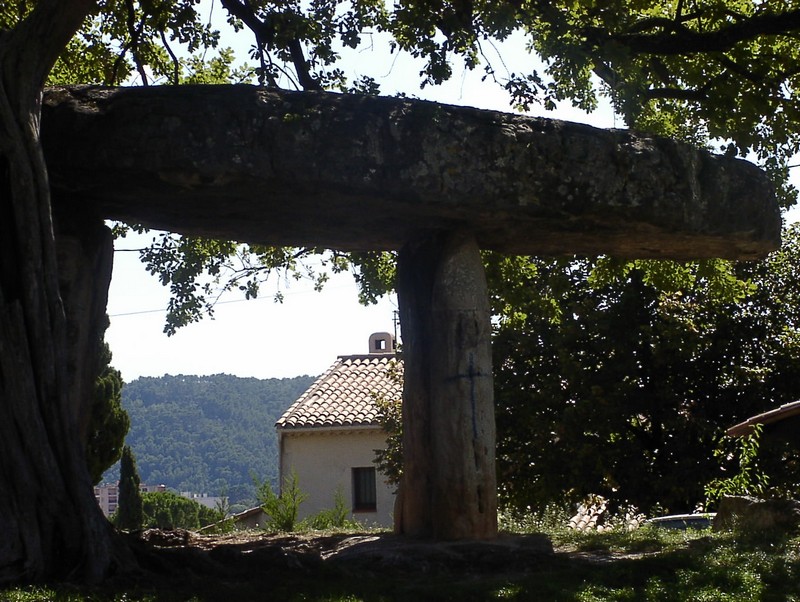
x=207, y=434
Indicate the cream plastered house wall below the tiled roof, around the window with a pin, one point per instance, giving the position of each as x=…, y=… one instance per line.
x=323, y=463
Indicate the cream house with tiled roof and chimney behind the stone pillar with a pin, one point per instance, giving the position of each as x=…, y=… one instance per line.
x=328, y=437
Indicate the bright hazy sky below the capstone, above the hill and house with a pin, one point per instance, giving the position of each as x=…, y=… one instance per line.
x=258, y=338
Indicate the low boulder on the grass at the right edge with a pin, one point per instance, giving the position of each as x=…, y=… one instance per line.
x=754, y=514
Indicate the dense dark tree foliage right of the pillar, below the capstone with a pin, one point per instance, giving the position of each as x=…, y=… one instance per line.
x=623, y=389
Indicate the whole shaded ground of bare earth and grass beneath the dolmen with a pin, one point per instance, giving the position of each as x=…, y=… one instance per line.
x=647, y=564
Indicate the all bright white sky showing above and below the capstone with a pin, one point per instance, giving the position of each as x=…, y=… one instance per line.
x=304, y=334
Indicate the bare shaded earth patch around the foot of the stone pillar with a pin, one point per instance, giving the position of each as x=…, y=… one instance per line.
x=256, y=565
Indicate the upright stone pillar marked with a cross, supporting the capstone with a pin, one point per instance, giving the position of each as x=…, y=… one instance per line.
x=448, y=489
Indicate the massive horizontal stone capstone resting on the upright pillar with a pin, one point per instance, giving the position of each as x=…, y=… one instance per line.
x=357, y=172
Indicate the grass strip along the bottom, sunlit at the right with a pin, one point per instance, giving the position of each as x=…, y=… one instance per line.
x=646, y=564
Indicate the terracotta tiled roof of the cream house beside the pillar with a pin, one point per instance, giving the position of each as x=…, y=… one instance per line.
x=345, y=395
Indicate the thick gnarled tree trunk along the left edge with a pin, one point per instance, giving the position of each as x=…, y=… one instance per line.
x=50, y=523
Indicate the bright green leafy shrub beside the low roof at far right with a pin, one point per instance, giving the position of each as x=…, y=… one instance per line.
x=749, y=480
